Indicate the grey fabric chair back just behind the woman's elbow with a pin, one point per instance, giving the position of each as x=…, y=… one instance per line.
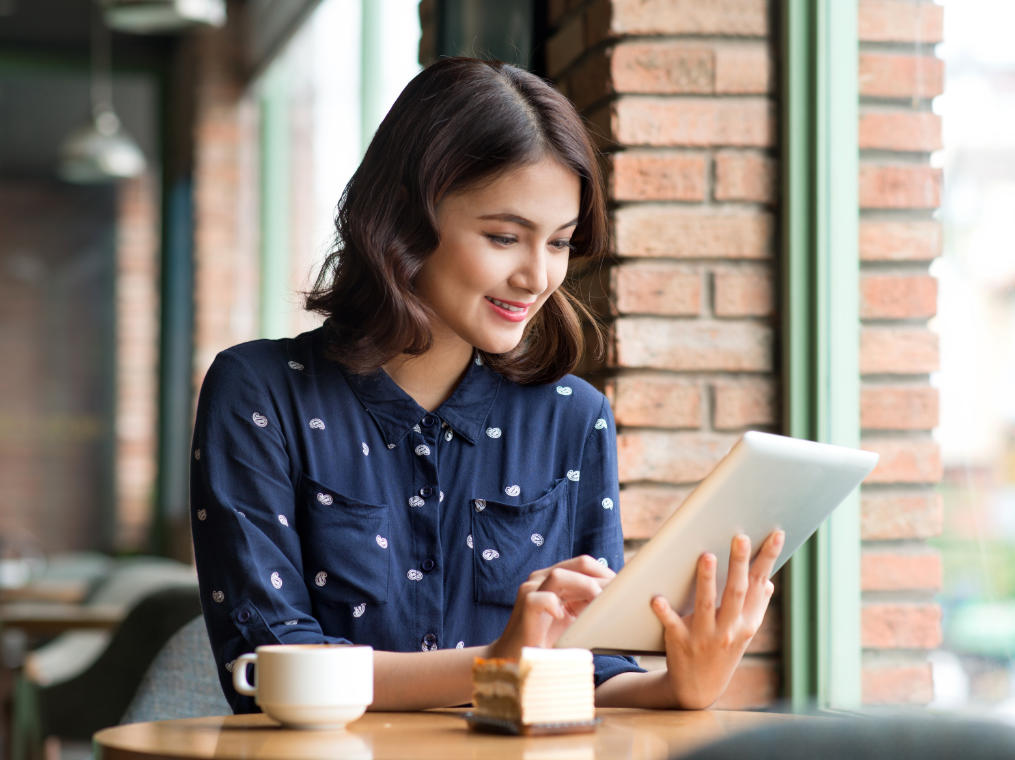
x=182, y=681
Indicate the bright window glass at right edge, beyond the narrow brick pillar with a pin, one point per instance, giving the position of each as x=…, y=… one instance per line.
x=977, y=326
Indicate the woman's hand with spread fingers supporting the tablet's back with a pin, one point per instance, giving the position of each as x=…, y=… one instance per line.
x=704, y=650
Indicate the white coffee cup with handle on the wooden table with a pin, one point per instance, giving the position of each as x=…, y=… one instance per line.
x=309, y=686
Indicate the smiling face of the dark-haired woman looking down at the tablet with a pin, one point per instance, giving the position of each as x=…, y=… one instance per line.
x=504, y=250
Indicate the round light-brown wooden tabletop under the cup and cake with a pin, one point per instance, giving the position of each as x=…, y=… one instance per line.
x=434, y=735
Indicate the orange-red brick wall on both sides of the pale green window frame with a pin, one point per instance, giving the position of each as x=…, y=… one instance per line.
x=682, y=95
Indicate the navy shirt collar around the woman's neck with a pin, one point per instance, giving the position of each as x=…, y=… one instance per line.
x=395, y=412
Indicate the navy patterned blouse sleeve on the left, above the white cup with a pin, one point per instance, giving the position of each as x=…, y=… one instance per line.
x=243, y=523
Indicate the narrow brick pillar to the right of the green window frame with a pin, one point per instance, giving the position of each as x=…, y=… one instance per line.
x=899, y=239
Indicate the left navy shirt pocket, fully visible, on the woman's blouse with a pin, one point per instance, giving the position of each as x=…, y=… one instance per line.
x=345, y=546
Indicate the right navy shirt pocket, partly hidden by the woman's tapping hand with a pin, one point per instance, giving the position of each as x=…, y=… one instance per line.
x=510, y=541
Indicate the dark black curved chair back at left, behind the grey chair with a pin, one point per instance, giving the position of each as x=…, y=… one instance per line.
x=99, y=695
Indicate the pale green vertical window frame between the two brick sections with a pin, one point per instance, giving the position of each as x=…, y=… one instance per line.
x=822, y=336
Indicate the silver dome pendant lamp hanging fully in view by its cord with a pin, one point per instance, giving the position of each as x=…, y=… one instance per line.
x=100, y=151
